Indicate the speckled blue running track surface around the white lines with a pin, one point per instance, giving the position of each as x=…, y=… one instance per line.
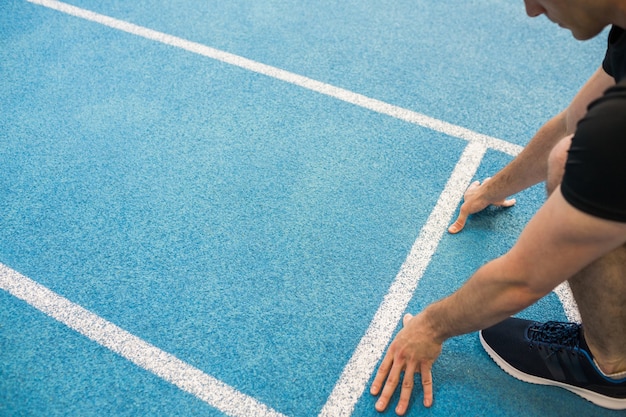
x=247, y=226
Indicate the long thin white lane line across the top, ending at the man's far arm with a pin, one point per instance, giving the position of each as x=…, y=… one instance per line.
x=289, y=77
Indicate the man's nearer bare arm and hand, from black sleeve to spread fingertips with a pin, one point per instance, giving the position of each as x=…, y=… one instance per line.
x=559, y=241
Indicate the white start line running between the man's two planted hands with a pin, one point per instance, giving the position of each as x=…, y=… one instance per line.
x=361, y=366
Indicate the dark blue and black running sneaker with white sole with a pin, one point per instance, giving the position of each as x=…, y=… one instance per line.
x=552, y=353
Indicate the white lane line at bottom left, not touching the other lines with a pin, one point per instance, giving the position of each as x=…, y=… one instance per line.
x=186, y=377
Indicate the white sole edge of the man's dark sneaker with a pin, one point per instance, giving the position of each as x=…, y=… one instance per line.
x=594, y=397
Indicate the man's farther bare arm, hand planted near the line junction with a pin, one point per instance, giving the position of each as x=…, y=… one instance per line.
x=531, y=165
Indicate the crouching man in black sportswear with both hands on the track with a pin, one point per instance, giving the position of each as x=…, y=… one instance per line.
x=578, y=235
